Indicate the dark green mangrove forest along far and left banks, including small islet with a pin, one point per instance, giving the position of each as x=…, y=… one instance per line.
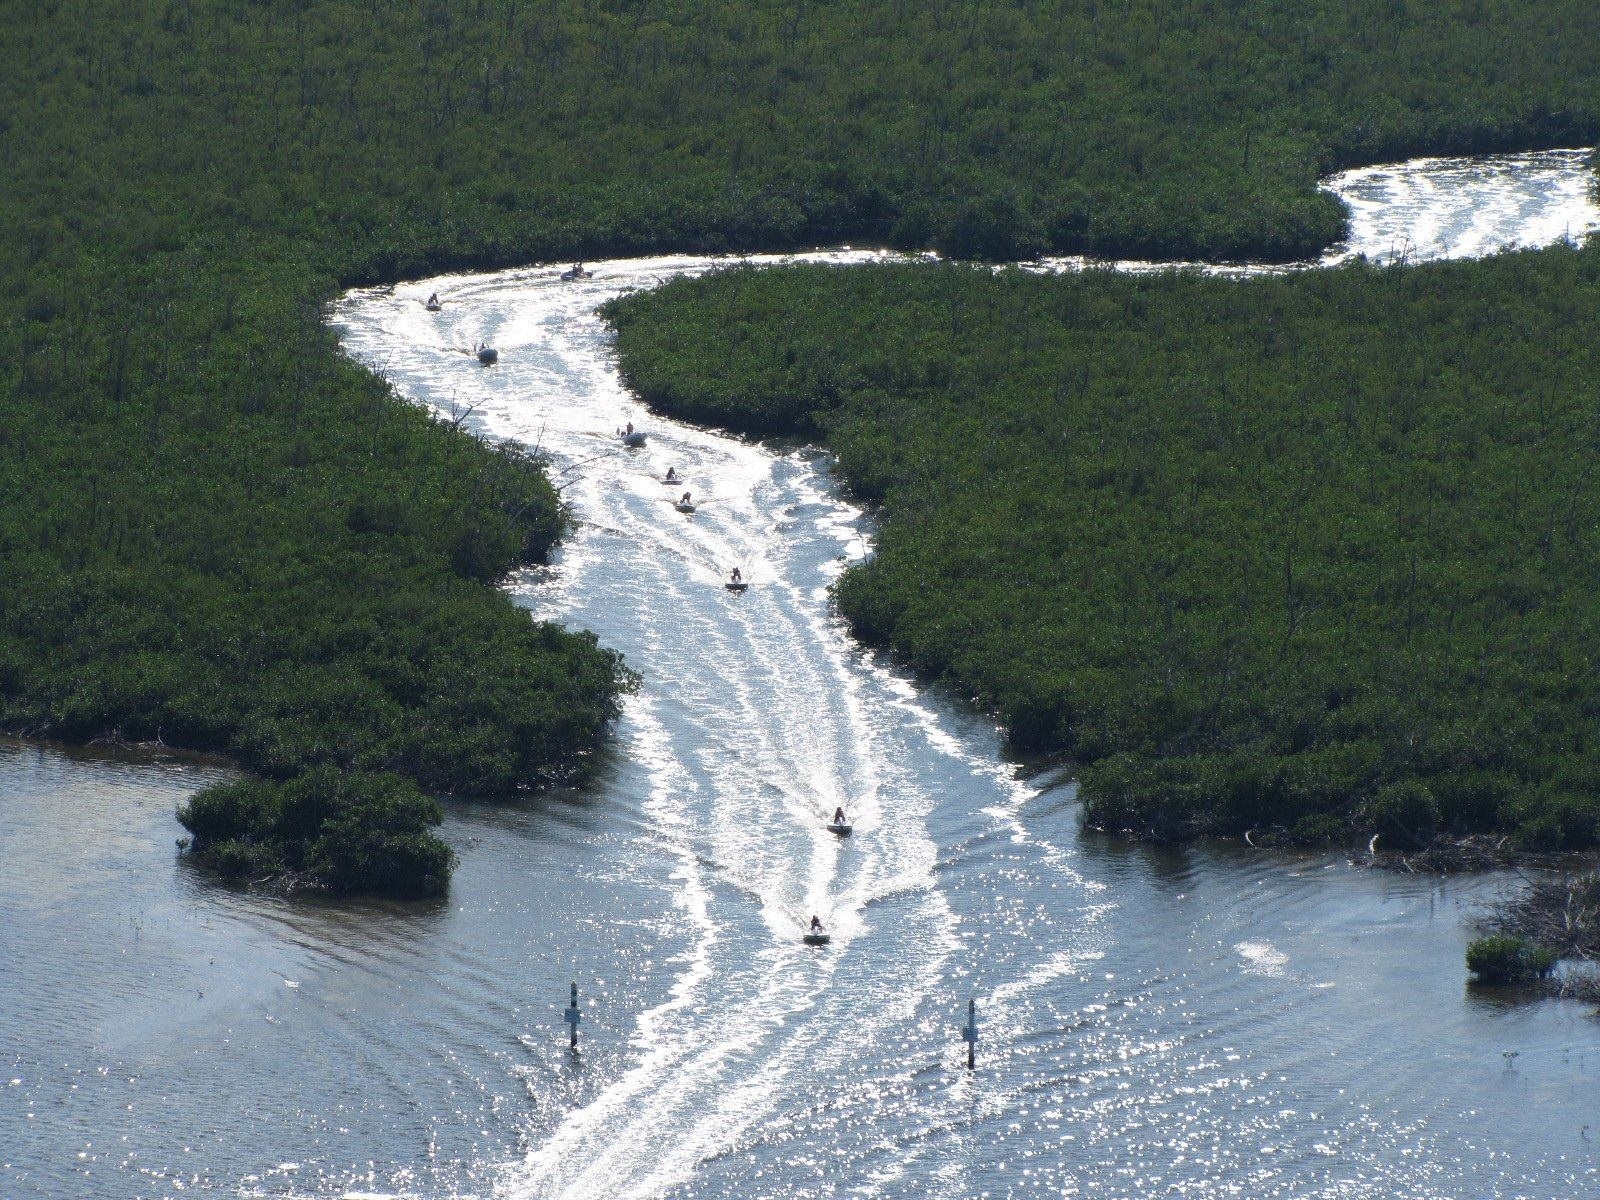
x=222, y=535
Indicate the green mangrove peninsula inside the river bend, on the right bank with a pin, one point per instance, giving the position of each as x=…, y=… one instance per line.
x=1302, y=553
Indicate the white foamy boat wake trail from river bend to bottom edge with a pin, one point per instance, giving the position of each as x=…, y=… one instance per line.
x=786, y=735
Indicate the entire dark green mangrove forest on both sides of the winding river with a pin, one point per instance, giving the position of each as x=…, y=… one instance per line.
x=1257, y=553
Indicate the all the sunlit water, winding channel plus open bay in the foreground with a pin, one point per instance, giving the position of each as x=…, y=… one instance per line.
x=1154, y=1022
